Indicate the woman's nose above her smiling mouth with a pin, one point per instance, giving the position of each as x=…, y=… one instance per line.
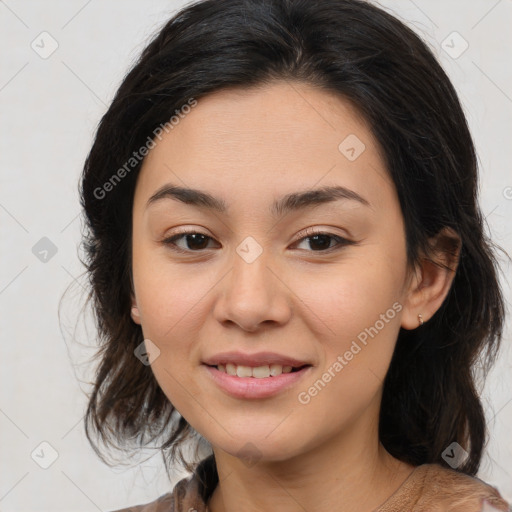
x=252, y=294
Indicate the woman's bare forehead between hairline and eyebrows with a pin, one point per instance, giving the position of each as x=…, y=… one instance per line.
x=268, y=139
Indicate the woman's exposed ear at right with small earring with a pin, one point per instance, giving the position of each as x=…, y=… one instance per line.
x=432, y=279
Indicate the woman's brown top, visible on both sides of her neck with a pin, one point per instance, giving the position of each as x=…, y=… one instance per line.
x=429, y=488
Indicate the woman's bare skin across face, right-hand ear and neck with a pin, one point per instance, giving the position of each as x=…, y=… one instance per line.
x=250, y=147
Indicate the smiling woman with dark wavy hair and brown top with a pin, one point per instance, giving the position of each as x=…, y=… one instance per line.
x=288, y=262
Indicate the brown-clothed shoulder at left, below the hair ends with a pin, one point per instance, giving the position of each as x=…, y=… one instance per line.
x=184, y=497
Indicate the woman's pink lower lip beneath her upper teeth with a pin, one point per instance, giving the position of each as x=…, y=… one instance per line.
x=251, y=387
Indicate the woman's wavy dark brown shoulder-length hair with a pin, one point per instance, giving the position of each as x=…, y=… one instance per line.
x=370, y=58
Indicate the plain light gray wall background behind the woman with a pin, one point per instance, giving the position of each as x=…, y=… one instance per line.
x=49, y=110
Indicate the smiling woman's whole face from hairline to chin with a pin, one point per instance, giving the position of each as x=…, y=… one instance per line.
x=256, y=282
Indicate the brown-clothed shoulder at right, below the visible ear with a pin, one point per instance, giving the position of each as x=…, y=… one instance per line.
x=434, y=488
